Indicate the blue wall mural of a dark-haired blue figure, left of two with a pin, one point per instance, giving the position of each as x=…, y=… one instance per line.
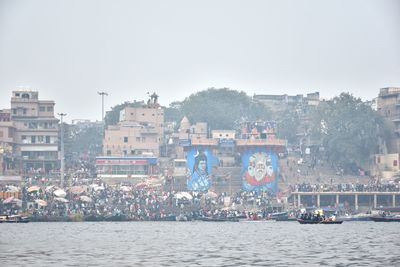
x=200, y=163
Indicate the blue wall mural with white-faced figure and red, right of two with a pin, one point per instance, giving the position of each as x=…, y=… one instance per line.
x=259, y=170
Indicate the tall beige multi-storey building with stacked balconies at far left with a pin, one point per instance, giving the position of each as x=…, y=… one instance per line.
x=36, y=132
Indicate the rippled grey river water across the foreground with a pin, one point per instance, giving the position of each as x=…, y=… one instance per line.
x=199, y=244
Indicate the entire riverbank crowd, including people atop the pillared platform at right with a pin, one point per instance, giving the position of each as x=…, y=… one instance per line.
x=94, y=200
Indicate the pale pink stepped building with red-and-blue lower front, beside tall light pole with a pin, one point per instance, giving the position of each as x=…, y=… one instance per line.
x=131, y=147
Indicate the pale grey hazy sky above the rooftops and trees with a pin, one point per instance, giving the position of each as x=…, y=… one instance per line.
x=69, y=50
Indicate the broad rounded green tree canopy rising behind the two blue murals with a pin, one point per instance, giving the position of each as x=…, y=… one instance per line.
x=222, y=108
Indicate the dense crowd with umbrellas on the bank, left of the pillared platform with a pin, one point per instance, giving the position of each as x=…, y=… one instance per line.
x=95, y=200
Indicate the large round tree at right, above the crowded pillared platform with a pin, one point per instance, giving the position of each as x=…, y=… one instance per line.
x=349, y=130
